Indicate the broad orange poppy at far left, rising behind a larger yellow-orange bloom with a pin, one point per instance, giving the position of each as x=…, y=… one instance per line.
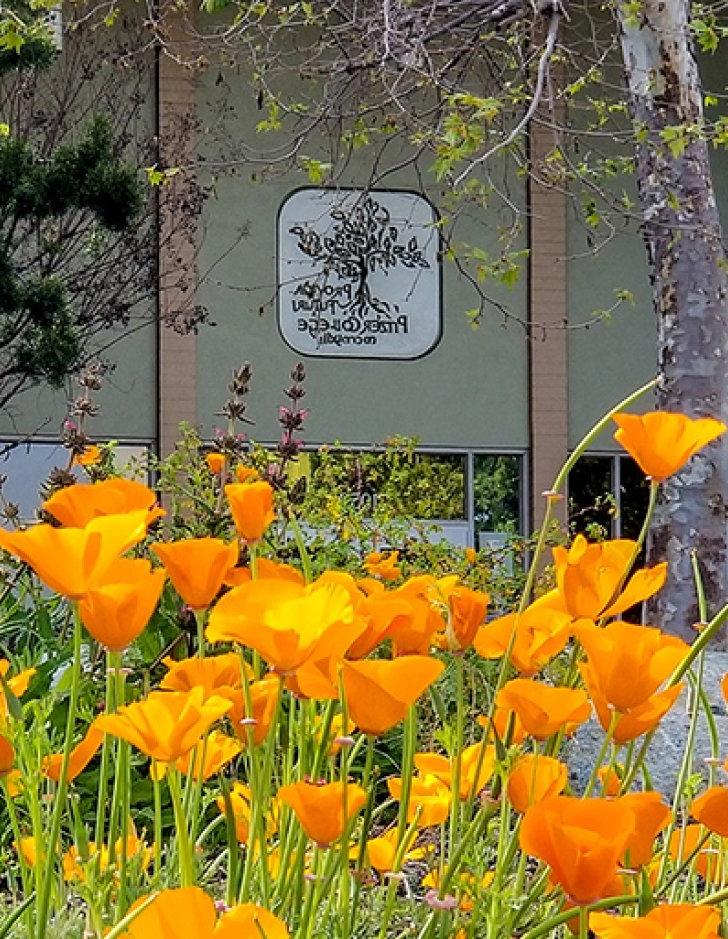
x=76, y=506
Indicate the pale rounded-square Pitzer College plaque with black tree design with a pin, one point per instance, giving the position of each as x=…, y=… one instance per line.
x=359, y=274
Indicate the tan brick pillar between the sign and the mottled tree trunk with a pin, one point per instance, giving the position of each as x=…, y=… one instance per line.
x=548, y=315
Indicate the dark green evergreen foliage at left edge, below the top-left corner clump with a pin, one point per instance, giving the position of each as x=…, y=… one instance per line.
x=40, y=336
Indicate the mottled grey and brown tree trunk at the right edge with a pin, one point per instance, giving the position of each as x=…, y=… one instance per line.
x=687, y=259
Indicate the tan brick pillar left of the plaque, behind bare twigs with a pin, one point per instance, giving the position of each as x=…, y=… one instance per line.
x=177, y=370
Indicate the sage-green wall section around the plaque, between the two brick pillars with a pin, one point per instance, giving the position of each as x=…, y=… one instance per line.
x=471, y=391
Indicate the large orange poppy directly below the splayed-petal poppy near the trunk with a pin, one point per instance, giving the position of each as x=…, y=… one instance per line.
x=626, y=664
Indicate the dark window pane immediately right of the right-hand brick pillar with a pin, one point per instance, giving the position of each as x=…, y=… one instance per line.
x=592, y=505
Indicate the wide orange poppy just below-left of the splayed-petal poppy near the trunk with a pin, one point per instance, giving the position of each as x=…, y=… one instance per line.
x=540, y=634
